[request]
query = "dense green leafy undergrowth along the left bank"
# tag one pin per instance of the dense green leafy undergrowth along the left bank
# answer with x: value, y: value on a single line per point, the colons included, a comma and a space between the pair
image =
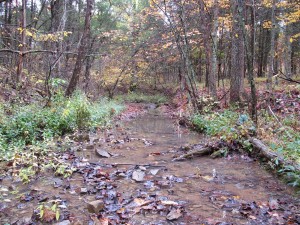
x: 33, y: 124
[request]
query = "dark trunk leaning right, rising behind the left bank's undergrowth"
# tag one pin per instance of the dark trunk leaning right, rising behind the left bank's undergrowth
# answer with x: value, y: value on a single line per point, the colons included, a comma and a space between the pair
x: 81, y: 50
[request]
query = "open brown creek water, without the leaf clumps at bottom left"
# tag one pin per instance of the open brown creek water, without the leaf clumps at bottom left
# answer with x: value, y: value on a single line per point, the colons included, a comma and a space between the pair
x: 211, y: 191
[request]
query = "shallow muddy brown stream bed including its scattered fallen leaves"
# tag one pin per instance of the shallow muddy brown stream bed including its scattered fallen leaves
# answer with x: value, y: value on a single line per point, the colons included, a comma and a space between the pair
x: 202, y: 190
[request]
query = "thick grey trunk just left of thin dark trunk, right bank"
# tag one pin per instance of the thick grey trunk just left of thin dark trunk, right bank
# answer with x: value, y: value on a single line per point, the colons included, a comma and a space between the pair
x: 237, y: 51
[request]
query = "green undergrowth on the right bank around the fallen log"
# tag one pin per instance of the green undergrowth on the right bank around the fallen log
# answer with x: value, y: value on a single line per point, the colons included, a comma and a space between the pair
x: 231, y: 125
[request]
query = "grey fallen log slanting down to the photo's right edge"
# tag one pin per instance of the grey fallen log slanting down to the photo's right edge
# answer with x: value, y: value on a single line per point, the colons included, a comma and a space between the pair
x: 265, y: 152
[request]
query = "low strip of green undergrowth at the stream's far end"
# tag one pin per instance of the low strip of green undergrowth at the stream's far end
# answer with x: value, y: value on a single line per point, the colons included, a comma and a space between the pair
x: 138, y: 97
